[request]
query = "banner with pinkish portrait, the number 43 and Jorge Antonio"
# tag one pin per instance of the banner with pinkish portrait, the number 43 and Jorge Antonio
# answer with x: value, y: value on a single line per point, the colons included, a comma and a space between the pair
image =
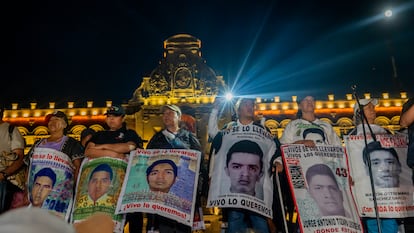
x: 319, y: 179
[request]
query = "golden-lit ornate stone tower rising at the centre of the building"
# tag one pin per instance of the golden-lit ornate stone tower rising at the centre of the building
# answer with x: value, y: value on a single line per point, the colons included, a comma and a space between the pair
x: 182, y: 78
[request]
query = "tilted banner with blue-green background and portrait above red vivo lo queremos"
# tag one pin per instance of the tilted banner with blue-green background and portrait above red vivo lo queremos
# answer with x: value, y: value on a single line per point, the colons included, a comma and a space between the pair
x: 162, y: 181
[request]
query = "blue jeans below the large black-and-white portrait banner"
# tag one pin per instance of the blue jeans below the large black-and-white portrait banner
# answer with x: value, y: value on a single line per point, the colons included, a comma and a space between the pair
x: 241, y: 220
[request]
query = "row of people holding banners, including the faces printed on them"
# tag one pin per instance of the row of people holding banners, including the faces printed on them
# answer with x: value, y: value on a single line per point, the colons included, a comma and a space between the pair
x: 246, y: 163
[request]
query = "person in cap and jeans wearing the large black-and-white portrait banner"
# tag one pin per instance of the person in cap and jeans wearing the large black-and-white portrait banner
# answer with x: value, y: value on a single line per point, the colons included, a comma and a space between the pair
x: 244, y: 164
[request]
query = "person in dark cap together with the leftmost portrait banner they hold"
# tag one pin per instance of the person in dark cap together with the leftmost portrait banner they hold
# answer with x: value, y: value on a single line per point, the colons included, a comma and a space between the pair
x: 59, y: 155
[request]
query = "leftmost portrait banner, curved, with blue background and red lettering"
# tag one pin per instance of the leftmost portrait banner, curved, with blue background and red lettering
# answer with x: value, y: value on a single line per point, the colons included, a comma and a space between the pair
x: 51, y: 181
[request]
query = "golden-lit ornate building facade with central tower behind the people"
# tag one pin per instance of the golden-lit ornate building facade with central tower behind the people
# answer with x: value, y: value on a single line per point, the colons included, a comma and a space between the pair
x: 183, y: 78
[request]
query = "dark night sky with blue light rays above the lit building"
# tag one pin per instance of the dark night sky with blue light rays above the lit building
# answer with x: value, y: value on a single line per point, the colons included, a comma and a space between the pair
x: 99, y: 50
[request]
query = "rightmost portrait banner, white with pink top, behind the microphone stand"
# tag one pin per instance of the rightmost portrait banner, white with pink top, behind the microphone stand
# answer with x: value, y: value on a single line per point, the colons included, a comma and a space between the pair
x: 391, y: 175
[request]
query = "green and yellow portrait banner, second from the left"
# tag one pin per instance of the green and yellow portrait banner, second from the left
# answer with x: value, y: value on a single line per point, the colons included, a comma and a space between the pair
x: 98, y: 188
